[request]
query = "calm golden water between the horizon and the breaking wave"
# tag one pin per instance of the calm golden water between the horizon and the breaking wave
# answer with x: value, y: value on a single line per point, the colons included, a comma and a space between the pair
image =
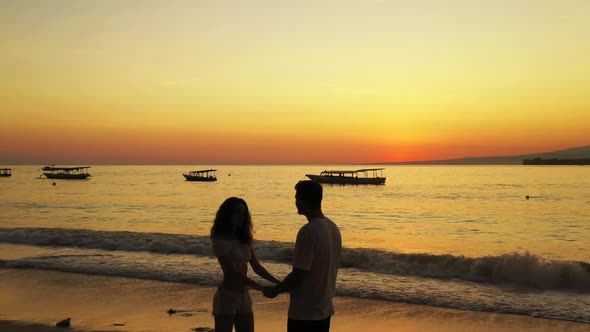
x: 471, y: 211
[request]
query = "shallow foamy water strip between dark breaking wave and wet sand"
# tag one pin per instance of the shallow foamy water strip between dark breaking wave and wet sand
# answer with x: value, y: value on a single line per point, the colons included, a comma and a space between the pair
x: 205, y: 270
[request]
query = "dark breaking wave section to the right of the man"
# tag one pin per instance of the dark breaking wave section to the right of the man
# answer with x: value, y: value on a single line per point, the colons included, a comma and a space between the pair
x: 520, y: 269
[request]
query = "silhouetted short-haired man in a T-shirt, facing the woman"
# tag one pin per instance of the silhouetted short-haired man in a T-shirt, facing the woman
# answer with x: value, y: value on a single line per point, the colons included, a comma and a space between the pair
x: 312, y: 282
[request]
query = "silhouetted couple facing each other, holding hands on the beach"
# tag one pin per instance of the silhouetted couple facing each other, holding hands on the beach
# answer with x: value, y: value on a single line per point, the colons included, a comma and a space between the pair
x: 311, y: 283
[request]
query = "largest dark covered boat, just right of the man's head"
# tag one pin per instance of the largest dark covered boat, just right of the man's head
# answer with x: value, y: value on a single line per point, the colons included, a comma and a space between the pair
x: 359, y: 176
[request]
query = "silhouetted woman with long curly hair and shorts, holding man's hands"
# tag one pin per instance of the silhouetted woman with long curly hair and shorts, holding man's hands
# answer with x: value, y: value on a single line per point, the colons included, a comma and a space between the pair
x: 231, y: 238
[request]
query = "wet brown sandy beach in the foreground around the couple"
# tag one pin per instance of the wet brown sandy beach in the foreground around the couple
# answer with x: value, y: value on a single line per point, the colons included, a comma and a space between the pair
x: 34, y: 300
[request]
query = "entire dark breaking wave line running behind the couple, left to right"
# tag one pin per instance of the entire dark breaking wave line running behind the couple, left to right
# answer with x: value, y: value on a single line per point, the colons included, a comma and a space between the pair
x: 520, y: 269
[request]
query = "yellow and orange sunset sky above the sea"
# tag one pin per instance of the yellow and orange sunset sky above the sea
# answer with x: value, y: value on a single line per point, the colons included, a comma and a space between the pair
x: 255, y: 82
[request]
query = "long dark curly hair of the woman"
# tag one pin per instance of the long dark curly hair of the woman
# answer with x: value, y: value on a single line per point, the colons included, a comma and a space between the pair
x: 222, y: 225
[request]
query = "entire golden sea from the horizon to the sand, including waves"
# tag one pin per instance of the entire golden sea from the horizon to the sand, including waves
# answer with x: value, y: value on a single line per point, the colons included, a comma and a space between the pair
x: 464, y: 237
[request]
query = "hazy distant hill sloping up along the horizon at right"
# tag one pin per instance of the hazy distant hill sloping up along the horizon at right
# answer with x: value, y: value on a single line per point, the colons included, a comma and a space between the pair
x: 582, y: 152
